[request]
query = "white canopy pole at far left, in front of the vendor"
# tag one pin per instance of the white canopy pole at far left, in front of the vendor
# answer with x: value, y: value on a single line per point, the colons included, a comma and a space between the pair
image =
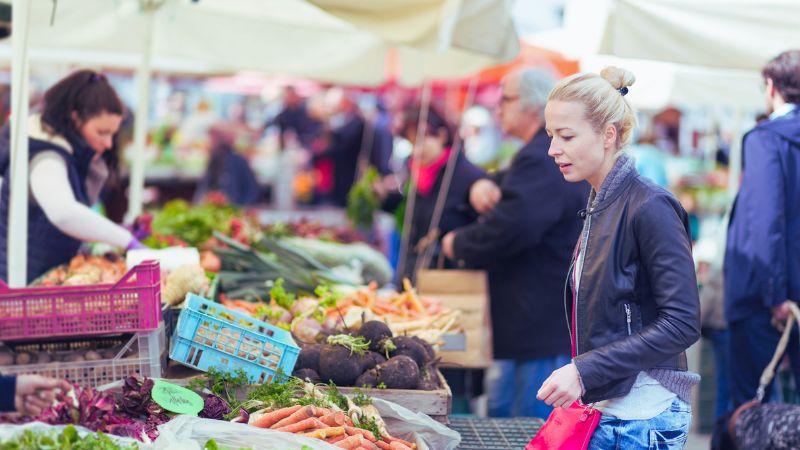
x: 18, y: 199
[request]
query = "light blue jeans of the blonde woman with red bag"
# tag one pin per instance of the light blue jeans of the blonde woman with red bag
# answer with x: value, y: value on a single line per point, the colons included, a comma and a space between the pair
x: 666, y: 431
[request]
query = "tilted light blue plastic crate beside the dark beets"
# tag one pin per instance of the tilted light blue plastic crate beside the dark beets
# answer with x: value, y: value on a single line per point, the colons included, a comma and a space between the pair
x: 211, y: 335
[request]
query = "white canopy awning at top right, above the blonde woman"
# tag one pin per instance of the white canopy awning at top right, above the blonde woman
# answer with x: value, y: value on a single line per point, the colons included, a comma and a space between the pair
x: 741, y: 34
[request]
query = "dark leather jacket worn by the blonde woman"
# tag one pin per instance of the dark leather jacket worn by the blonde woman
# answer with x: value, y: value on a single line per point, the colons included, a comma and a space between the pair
x: 637, y: 306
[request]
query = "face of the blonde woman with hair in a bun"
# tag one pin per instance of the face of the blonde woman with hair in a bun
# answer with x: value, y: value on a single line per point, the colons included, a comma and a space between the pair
x: 580, y: 152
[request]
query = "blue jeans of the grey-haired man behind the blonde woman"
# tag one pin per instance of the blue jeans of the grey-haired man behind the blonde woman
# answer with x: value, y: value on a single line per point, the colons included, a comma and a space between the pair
x: 512, y: 386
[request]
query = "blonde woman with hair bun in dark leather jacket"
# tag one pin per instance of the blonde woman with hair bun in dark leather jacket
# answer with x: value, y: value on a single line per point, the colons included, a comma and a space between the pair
x: 632, y: 303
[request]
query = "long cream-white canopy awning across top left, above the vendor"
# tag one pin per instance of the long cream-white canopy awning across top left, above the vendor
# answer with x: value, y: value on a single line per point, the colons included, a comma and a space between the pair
x: 346, y: 44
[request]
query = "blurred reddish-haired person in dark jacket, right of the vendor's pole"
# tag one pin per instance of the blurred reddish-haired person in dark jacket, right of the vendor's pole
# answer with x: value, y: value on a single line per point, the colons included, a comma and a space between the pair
x: 227, y: 172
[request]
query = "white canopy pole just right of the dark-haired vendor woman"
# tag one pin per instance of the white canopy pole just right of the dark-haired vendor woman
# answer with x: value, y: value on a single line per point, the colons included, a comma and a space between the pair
x: 143, y: 75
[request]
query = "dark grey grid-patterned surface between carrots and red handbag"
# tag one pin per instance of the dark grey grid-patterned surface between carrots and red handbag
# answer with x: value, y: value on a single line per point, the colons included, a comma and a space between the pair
x: 495, y: 433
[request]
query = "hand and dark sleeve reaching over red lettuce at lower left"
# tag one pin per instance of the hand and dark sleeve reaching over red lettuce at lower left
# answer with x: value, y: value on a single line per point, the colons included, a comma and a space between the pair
x: 28, y: 394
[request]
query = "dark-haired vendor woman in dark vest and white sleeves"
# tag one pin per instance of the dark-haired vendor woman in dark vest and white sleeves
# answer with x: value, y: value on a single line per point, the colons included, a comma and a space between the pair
x: 72, y: 154
